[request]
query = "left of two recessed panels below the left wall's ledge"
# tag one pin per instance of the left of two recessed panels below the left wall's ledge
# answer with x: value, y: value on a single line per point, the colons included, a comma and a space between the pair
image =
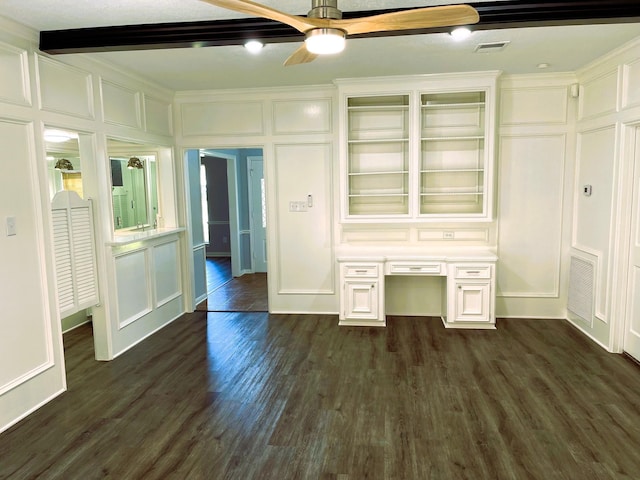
x: 133, y: 289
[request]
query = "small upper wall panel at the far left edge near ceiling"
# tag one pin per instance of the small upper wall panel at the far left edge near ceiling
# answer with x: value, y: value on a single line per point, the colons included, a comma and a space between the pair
x: 14, y: 81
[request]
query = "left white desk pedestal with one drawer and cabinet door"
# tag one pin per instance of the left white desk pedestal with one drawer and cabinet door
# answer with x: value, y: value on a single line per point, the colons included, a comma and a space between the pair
x: 362, y: 302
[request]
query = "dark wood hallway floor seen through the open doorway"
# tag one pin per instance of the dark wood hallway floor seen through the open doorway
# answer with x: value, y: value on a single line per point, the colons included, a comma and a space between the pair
x: 247, y: 293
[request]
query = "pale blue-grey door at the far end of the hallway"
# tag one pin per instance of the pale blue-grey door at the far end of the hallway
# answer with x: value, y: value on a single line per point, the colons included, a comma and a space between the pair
x: 258, y: 214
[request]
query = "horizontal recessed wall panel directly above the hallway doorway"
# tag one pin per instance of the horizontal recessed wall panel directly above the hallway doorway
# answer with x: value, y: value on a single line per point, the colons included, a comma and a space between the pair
x: 238, y: 119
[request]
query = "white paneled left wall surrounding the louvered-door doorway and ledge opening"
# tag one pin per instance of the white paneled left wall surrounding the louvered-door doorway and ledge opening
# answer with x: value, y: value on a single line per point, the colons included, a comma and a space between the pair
x: 98, y: 102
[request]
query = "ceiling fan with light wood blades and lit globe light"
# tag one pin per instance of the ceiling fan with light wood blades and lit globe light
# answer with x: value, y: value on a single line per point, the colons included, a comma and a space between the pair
x: 325, y: 30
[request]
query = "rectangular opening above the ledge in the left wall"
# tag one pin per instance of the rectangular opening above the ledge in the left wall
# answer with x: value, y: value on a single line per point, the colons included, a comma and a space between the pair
x: 134, y: 187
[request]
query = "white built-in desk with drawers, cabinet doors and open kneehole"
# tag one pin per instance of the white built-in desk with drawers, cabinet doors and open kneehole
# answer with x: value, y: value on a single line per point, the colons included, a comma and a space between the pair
x: 468, y: 299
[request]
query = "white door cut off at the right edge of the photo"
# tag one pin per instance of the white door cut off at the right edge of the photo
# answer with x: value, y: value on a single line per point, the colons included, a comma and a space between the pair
x: 632, y: 334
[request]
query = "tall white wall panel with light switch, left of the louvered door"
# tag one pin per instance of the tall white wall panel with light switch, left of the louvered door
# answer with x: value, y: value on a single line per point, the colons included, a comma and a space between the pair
x: 31, y: 352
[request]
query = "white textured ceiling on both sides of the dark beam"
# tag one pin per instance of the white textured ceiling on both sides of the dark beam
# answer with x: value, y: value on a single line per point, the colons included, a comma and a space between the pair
x: 563, y: 48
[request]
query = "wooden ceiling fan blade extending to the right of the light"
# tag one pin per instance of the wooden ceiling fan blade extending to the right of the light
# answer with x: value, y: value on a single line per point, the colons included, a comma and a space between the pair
x: 416, y: 18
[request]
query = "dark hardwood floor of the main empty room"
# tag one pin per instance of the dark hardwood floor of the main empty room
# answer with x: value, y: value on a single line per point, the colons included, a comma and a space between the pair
x: 259, y: 396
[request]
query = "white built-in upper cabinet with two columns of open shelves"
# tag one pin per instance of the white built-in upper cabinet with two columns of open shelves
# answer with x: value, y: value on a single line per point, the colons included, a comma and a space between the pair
x: 418, y: 148
